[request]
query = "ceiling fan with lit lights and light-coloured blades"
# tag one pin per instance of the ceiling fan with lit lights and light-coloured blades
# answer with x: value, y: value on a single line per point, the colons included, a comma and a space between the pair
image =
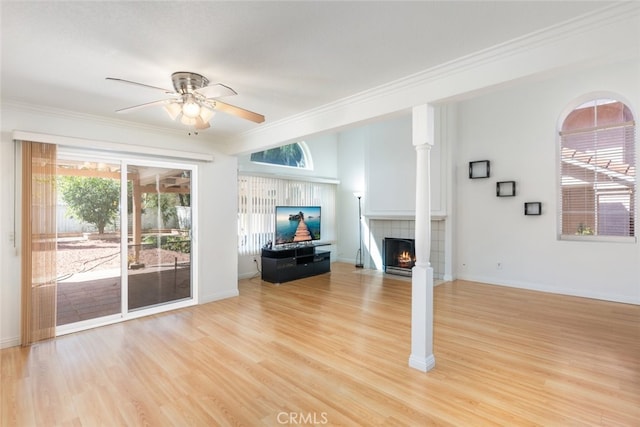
x: 194, y: 100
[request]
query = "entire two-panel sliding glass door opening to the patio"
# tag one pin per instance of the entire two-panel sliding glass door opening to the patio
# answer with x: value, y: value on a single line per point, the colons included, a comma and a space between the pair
x: 124, y: 239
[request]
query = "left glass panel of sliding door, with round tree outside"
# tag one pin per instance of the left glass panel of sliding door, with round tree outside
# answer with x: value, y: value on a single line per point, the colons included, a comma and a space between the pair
x: 88, y: 248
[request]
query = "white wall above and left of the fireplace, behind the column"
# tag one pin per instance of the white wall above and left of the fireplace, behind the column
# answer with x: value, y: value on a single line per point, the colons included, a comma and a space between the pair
x: 379, y: 160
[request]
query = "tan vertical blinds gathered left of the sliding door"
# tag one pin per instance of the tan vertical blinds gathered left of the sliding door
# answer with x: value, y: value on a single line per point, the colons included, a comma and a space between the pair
x: 38, y: 241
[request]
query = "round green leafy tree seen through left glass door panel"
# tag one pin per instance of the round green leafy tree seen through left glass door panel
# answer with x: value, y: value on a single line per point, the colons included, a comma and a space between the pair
x: 90, y: 199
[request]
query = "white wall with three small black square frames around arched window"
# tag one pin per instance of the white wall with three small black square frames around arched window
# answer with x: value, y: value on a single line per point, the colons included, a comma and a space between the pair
x: 516, y: 130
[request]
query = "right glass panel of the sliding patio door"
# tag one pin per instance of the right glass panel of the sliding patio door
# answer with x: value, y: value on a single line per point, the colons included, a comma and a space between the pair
x: 159, y: 244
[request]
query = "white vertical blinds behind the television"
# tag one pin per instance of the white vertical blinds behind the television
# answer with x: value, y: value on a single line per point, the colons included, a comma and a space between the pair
x: 257, y: 198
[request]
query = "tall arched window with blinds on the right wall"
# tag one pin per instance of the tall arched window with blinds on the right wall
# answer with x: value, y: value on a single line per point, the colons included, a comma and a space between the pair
x: 598, y: 171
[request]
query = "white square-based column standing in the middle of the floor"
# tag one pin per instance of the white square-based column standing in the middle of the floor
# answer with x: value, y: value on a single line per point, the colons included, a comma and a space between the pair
x: 422, y: 357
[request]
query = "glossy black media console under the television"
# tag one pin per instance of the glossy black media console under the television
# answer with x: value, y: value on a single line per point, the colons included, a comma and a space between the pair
x: 294, y: 262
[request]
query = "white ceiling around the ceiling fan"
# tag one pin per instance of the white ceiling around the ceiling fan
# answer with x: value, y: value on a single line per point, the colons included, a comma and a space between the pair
x: 283, y: 58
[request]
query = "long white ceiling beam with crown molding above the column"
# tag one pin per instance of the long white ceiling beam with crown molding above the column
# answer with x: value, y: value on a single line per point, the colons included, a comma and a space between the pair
x: 393, y: 96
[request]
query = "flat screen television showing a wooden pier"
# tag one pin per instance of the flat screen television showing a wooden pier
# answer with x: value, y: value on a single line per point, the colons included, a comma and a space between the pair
x: 297, y: 224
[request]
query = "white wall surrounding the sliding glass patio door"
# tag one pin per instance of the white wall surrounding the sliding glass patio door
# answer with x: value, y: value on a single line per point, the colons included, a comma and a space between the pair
x: 217, y: 196
